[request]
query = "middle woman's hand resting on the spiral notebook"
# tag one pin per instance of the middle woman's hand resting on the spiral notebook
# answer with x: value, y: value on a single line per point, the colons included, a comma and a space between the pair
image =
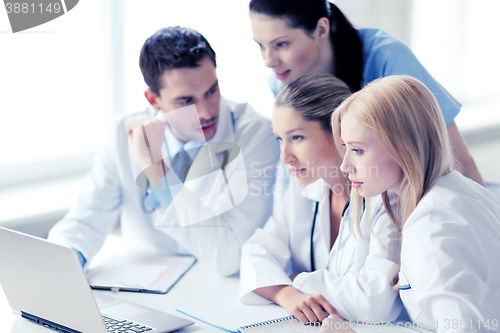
x: 305, y: 307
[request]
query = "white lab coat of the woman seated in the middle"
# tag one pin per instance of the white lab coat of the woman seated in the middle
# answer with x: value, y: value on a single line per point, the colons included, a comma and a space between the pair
x: 354, y: 278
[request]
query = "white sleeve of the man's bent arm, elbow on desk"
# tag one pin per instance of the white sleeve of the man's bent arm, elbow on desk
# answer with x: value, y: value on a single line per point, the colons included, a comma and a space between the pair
x: 218, y: 239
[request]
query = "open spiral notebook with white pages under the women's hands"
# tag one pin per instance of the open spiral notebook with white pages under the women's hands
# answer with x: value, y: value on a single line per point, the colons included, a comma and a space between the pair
x: 229, y: 315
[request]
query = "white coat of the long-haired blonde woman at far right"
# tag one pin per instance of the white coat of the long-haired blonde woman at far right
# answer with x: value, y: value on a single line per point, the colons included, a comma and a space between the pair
x: 450, y: 267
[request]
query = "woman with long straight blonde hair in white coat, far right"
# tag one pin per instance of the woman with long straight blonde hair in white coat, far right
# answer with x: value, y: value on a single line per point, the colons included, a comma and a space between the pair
x: 450, y: 273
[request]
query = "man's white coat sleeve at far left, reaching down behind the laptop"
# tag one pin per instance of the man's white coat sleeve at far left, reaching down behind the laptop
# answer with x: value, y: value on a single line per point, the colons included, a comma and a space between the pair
x: 96, y: 212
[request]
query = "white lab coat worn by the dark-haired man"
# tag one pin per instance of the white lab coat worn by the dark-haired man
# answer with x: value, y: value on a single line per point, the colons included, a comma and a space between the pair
x: 112, y: 194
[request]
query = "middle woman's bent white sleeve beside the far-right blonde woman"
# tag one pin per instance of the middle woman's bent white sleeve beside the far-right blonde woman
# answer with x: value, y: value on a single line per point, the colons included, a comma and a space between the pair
x: 365, y: 291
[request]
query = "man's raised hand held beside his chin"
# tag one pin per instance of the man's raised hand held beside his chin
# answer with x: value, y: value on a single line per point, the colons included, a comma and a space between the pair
x: 147, y: 134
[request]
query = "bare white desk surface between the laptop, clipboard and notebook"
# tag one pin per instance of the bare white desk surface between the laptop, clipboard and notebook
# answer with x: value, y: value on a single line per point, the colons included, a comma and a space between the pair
x: 199, y: 284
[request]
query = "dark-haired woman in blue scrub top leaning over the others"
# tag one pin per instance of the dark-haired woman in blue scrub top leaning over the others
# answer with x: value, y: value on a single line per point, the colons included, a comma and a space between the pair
x: 299, y: 37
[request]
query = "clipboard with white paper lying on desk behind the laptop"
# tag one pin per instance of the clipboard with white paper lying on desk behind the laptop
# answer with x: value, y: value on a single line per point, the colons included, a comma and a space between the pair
x: 151, y: 274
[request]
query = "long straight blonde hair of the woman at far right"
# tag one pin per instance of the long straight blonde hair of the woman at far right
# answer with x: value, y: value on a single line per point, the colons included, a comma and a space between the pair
x: 407, y: 121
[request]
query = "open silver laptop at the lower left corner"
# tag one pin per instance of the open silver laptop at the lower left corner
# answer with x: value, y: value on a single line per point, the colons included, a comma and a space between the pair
x: 45, y: 284
